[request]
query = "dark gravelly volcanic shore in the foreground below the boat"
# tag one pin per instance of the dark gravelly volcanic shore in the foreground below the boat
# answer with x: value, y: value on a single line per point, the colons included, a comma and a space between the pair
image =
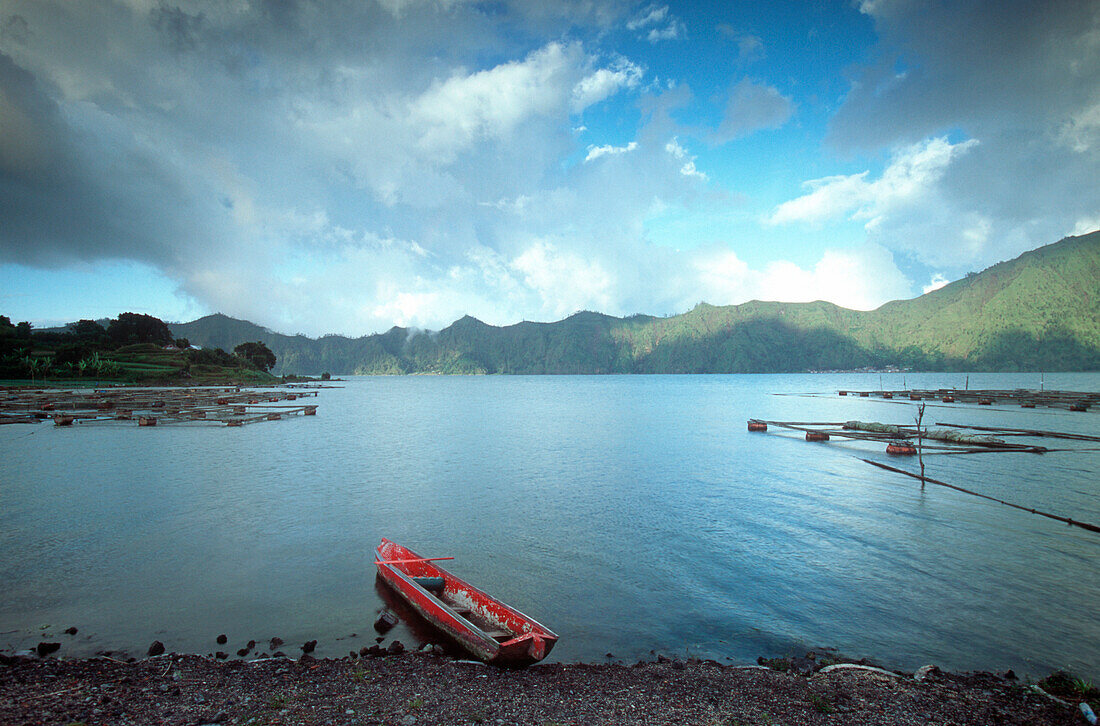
x: 423, y: 689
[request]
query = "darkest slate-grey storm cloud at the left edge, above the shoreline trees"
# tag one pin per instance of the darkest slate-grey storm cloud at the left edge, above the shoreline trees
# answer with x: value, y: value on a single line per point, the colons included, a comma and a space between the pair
x: 90, y: 193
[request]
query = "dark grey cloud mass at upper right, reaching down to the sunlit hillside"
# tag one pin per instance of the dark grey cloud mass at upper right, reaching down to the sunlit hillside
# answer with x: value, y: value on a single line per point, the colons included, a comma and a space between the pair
x: 1022, y: 80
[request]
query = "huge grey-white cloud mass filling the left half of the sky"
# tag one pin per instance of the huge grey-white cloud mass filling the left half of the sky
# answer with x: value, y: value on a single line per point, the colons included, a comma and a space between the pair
x: 403, y: 152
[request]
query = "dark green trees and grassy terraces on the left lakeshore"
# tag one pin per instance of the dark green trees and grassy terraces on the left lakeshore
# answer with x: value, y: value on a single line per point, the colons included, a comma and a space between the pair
x: 135, y: 349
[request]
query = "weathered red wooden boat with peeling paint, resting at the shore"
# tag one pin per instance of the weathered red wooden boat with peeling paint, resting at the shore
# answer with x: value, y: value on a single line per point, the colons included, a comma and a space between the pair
x: 485, y: 626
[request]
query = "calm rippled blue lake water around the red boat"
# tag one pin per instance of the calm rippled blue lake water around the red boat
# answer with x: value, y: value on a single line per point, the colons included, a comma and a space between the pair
x: 630, y: 514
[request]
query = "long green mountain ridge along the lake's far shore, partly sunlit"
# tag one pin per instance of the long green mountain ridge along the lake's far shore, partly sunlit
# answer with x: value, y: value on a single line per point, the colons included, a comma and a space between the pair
x: 1039, y: 312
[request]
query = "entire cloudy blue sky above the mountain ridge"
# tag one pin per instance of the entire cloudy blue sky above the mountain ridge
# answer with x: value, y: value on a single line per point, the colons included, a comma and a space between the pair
x: 346, y: 167
